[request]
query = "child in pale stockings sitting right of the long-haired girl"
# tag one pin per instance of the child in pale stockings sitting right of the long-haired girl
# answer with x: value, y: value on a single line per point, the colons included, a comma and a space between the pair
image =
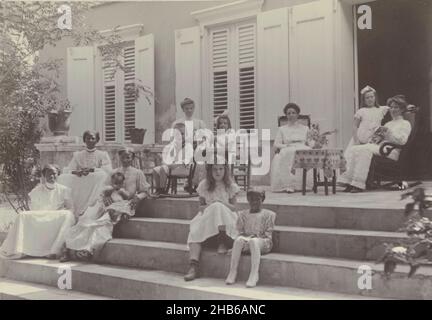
x: 255, y: 227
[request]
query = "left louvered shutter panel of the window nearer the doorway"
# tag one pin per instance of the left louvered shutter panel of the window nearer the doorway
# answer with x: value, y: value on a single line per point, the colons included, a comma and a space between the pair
x: 219, y: 69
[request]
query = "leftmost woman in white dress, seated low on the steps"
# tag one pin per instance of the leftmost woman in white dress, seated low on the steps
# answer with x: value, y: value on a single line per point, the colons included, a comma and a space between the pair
x: 41, y: 231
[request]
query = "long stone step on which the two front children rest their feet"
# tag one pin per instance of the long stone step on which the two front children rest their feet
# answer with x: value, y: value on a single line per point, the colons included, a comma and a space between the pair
x: 129, y: 283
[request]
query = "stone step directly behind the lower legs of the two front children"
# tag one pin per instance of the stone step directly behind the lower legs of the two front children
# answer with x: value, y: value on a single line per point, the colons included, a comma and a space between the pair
x: 312, y: 273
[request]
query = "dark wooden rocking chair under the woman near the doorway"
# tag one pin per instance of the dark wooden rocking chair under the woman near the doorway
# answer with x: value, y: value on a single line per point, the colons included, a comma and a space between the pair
x: 394, y: 172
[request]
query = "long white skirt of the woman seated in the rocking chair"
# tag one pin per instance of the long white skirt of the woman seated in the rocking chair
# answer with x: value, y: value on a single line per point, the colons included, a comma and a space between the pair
x: 358, y: 165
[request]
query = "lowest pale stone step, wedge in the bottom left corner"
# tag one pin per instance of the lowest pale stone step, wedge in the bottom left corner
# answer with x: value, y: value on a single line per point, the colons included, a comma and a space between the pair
x: 18, y: 290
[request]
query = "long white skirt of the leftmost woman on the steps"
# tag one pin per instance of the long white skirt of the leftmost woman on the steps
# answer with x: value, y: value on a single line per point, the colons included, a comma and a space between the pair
x: 37, y: 233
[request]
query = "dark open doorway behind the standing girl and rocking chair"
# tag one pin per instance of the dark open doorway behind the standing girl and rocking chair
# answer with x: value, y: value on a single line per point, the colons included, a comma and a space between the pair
x: 394, y: 57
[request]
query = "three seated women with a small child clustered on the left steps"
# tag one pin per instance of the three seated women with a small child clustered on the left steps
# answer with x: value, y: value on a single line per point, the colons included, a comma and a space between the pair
x: 73, y: 213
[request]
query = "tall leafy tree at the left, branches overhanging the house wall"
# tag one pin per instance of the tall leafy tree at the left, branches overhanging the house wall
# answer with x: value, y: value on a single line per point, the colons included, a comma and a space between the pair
x: 29, y: 88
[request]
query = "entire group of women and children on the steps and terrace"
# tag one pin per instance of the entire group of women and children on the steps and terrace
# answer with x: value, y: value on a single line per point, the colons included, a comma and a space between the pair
x: 73, y: 214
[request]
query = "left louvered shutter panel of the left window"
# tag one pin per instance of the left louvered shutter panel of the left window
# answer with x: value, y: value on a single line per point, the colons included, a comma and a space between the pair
x: 110, y: 102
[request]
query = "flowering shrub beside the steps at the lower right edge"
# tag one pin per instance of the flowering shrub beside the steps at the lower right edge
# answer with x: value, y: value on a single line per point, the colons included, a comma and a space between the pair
x: 416, y: 250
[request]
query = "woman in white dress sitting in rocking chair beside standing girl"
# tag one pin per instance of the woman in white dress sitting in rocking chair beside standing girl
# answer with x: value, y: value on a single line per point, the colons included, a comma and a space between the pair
x: 396, y: 131
